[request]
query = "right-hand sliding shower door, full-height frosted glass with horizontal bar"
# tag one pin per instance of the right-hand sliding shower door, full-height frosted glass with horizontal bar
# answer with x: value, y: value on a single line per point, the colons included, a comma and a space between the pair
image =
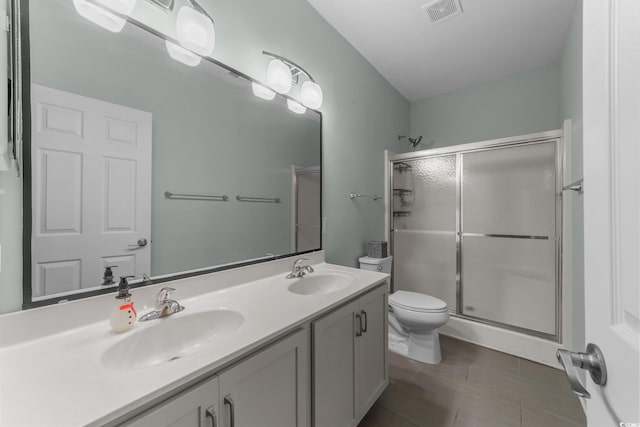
x: 509, y: 235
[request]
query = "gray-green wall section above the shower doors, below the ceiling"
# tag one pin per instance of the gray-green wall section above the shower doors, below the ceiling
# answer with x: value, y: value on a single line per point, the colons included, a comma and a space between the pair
x: 522, y: 103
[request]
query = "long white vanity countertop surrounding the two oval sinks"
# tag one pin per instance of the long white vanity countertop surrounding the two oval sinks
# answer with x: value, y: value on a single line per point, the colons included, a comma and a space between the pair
x: 59, y: 380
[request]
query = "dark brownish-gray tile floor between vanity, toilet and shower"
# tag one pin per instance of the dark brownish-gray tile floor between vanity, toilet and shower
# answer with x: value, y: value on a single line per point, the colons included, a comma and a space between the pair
x: 474, y: 387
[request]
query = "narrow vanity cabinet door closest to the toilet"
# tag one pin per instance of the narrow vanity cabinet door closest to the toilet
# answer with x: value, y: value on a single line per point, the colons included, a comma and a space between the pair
x: 373, y: 375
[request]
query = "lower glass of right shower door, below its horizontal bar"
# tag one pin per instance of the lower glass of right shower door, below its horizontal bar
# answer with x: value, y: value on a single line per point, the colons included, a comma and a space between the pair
x: 510, y: 281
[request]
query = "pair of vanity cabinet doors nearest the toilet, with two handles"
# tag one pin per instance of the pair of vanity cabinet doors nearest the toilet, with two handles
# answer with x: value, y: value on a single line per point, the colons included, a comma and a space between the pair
x: 350, y: 360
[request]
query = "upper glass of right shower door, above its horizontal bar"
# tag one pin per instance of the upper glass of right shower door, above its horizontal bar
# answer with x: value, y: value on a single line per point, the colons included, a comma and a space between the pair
x: 510, y: 191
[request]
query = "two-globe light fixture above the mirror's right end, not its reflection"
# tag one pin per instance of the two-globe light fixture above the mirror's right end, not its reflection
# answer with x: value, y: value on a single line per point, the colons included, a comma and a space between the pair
x: 283, y: 73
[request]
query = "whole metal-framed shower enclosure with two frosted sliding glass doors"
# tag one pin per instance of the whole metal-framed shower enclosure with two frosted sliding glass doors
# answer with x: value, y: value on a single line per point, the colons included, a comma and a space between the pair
x: 479, y: 226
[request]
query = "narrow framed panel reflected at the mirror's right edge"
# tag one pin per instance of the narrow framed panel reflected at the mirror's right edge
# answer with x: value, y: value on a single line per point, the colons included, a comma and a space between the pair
x: 306, y: 218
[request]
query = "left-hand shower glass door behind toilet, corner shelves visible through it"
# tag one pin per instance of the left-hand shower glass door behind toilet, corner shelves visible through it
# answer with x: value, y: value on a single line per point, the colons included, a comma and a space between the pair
x: 424, y: 226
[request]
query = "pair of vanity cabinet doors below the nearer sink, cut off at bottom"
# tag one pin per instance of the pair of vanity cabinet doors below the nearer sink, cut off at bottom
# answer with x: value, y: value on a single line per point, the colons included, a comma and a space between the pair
x: 267, y: 389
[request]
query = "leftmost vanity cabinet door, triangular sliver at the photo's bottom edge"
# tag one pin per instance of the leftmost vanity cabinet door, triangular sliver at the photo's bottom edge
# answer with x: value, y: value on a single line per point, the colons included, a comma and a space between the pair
x: 197, y: 407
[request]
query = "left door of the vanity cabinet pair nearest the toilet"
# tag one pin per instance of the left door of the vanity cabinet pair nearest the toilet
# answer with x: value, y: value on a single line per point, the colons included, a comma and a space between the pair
x: 334, y: 372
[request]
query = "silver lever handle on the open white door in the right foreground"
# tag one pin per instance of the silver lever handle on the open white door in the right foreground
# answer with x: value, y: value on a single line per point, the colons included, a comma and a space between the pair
x: 592, y: 361
